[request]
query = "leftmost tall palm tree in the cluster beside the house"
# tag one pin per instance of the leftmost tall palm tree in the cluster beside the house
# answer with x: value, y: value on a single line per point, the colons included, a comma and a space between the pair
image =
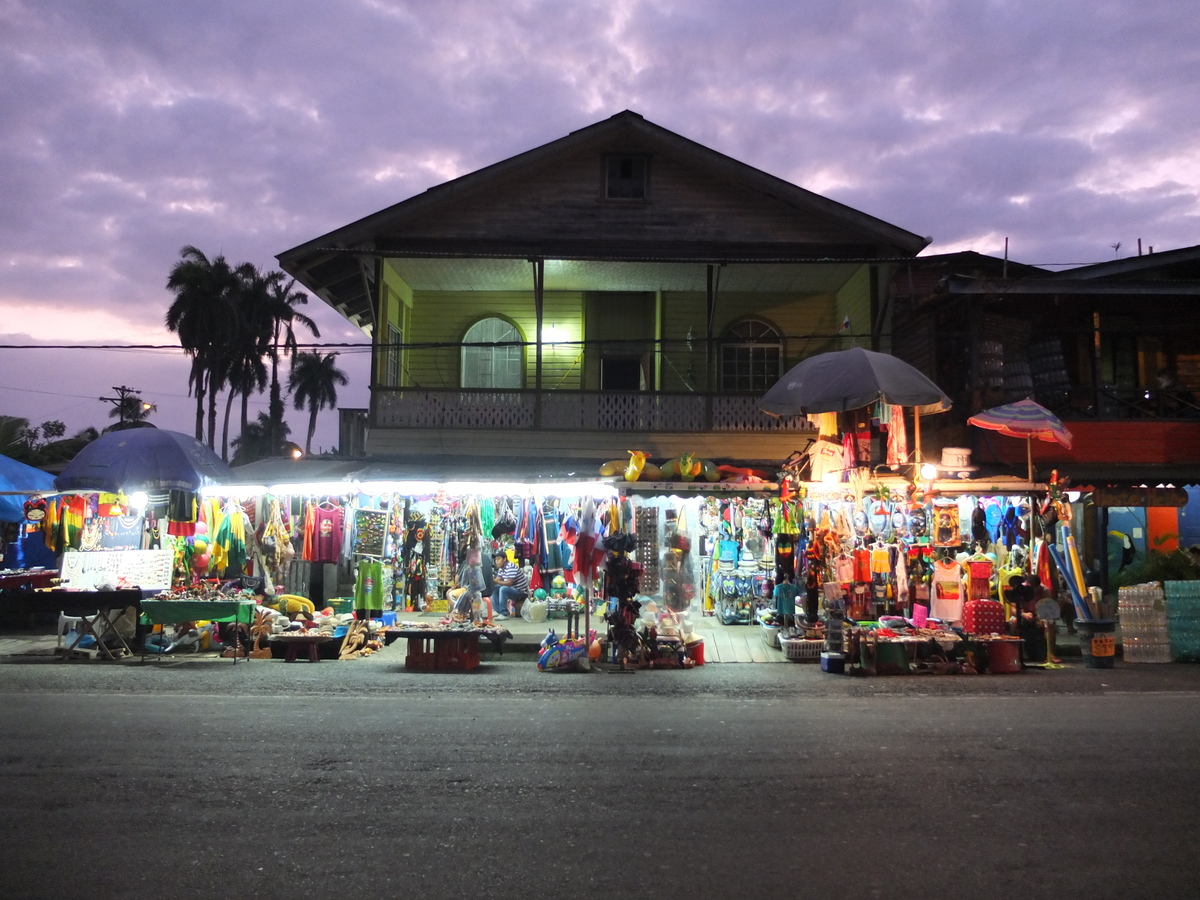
x: 205, y: 315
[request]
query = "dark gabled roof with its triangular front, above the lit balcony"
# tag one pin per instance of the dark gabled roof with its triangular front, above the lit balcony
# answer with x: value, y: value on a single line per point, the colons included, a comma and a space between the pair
x: 494, y: 213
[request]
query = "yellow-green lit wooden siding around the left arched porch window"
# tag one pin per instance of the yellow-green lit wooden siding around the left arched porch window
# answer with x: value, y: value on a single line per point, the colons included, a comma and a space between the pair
x: 443, y: 317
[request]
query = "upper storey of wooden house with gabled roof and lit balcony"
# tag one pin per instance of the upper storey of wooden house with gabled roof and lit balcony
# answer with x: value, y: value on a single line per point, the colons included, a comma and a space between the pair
x: 620, y: 289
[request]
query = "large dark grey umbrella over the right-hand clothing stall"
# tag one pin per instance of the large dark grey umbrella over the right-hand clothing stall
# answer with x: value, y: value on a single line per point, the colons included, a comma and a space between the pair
x: 851, y: 380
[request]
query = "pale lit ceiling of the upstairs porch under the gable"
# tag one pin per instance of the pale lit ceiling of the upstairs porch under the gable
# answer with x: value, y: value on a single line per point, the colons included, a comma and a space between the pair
x: 446, y: 274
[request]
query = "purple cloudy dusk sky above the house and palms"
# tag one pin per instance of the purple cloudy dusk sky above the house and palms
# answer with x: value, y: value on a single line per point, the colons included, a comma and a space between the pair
x: 129, y: 130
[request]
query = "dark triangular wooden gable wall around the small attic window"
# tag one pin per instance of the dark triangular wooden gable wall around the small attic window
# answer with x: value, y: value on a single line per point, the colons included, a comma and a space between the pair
x: 565, y: 202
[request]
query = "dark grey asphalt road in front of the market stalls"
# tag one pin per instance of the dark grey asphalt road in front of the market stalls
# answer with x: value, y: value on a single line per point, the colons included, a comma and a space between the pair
x: 181, y: 779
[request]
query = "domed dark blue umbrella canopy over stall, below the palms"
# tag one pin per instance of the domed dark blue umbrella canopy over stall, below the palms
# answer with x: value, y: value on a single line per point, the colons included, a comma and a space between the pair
x: 148, y: 460
